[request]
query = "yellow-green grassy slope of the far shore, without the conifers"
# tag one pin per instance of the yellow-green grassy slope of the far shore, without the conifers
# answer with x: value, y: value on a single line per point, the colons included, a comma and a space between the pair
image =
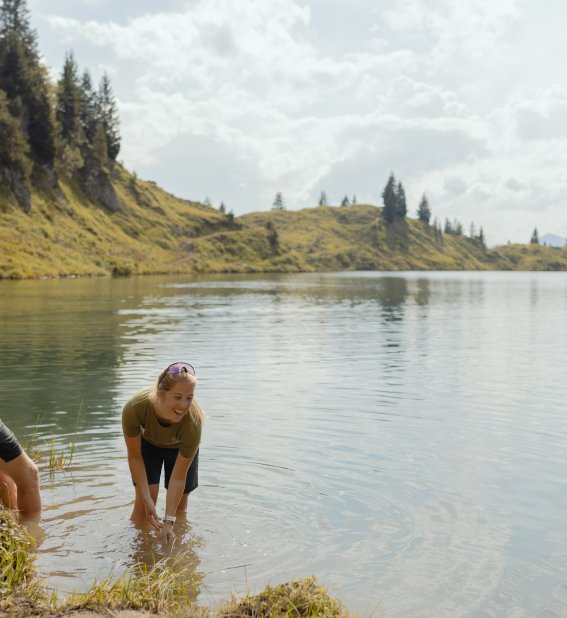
x: 155, y: 232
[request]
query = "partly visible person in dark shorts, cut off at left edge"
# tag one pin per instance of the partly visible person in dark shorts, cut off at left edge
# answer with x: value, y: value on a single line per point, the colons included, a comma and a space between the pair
x: 19, y: 476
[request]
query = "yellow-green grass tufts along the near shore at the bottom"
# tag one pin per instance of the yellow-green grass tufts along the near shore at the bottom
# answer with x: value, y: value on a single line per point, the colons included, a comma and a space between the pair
x: 158, y: 590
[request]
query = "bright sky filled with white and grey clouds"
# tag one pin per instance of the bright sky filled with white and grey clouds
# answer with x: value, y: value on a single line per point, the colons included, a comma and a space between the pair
x: 239, y: 99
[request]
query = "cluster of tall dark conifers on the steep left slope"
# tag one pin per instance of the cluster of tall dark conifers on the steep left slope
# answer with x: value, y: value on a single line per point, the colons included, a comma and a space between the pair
x: 68, y: 128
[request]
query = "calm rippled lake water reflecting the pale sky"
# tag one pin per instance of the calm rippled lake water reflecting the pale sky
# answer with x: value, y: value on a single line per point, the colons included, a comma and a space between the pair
x: 401, y: 436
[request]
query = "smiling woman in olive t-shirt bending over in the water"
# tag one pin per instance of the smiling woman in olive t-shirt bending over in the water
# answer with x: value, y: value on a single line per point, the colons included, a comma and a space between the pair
x: 162, y: 429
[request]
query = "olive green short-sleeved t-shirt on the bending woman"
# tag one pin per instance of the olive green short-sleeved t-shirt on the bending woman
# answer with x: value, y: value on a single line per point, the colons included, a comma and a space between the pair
x: 138, y: 416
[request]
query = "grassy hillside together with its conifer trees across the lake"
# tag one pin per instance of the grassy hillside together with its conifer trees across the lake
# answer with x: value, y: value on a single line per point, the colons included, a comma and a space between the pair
x: 67, y: 207
